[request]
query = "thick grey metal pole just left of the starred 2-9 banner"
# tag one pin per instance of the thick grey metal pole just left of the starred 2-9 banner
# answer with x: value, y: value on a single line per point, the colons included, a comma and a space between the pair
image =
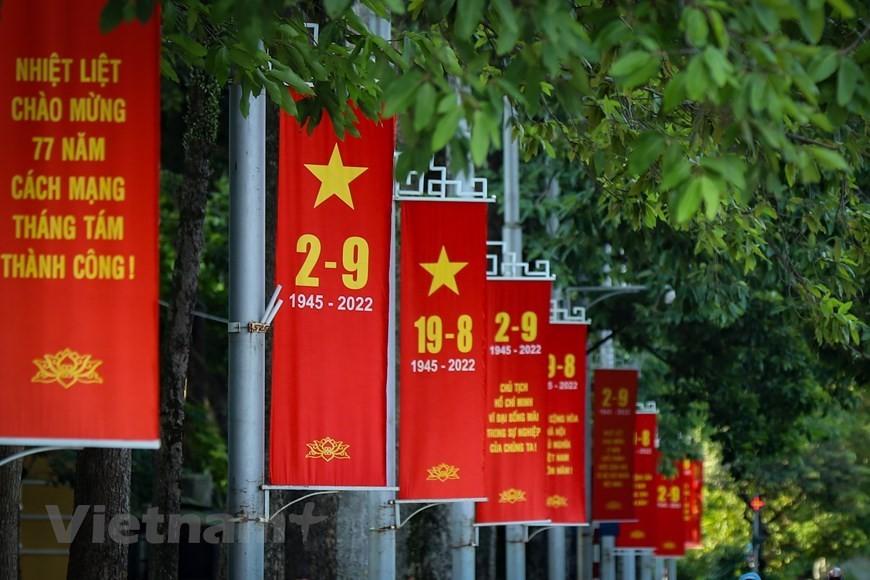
x: 247, y: 349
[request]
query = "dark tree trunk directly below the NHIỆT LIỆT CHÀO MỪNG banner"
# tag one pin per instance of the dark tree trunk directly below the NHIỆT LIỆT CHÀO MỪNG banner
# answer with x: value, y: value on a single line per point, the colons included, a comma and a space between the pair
x: 103, y: 487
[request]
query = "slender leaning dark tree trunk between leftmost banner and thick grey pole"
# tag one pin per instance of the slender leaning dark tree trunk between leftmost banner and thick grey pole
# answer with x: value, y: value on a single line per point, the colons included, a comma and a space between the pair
x: 199, y: 141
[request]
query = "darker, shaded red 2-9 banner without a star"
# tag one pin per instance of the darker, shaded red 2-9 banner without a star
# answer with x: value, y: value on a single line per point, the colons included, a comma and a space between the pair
x: 614, y: 399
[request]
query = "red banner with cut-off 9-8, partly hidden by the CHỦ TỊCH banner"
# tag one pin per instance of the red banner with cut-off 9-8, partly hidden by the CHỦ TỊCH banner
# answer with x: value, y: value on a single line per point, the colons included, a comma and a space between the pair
x: 566, y: 422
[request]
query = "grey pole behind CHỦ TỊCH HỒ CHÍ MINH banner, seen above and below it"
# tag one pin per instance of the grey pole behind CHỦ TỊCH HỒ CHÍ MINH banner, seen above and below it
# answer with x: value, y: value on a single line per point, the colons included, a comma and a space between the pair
x: 515, y: 551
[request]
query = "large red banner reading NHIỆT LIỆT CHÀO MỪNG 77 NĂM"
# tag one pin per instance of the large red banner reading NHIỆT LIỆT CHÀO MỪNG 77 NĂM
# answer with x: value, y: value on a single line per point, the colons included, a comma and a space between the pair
x: 80, y: 136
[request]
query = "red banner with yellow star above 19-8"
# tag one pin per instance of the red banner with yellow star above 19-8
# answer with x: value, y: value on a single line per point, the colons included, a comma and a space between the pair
x: 442, y: 330
